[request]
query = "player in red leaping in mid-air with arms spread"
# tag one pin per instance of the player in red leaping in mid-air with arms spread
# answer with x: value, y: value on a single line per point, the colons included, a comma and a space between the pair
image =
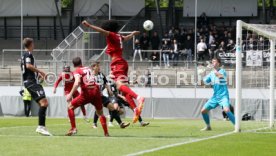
x: 119, y: 66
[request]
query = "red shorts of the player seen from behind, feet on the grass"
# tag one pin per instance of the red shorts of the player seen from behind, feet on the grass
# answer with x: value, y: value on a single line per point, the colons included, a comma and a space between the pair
x: 89, y: 96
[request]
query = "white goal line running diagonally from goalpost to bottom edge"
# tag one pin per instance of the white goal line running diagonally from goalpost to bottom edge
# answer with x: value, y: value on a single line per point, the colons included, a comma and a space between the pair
x: 178, y: 144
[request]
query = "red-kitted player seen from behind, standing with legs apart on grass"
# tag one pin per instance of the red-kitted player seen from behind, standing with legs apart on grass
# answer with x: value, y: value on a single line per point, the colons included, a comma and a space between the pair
x: 90, y: 93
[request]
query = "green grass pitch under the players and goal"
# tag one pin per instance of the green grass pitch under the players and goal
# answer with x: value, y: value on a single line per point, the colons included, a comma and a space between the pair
x: 18, y: 137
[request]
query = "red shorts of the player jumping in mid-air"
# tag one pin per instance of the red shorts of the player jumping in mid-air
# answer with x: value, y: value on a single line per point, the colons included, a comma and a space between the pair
x: 119, y: 69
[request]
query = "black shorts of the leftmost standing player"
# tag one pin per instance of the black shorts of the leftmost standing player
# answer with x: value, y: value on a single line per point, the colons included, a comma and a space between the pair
x: 36, y: 90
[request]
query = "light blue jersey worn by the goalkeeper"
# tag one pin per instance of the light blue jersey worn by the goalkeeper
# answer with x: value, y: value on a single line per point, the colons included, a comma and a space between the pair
x: 219, y: 84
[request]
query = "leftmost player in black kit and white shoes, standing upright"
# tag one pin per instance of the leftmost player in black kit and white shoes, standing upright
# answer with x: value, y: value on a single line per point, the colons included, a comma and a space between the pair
x: 30, y: 74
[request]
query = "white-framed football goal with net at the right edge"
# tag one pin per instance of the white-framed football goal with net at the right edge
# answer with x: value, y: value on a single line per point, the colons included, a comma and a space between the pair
x: 255, y: 62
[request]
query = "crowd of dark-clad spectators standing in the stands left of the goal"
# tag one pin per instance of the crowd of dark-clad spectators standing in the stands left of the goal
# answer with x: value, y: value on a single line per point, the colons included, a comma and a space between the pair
x: 178, y: 43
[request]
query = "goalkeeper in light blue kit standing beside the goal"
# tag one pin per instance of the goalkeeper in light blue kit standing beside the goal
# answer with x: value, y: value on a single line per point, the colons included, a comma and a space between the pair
x: 218, y: 79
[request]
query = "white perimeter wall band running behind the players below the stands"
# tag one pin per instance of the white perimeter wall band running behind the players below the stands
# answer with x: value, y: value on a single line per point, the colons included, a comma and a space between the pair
x: 158, y: 92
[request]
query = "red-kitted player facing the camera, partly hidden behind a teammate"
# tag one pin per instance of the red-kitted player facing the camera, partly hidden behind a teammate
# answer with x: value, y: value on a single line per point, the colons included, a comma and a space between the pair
x: 67, y: 77
